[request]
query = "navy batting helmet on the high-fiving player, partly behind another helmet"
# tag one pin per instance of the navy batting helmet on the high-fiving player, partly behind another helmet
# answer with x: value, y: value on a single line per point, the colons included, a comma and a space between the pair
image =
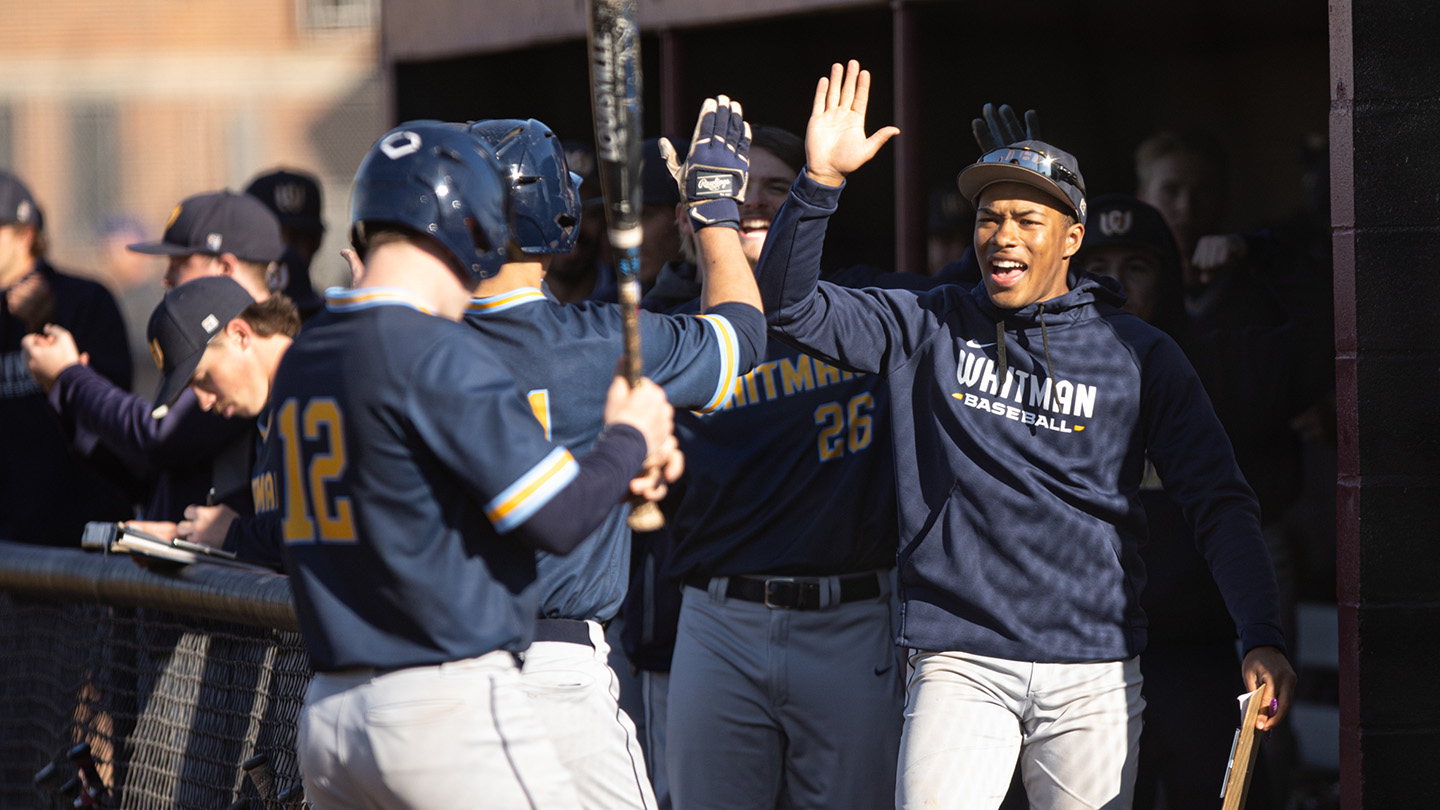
x: 544, y: 191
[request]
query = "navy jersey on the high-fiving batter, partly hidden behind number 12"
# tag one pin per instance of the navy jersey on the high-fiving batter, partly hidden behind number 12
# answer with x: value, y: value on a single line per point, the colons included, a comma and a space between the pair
x: 564, y: 360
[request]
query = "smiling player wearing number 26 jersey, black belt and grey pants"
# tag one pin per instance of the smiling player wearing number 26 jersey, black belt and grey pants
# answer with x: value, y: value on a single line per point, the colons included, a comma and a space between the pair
x: 786, y: 685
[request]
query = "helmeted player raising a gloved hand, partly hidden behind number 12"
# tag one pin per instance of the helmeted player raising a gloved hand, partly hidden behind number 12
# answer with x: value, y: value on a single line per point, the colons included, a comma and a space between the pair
x: 561, y: 357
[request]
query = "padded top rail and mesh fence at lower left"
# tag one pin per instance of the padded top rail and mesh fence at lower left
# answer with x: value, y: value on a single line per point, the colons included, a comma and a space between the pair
x: 172, y: 677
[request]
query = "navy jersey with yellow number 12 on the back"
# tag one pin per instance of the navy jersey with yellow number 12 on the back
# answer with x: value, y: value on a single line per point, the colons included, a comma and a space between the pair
x: 407, y: 456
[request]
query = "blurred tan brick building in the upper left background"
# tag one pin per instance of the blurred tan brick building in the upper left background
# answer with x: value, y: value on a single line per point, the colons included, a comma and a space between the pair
x: 199, y: 94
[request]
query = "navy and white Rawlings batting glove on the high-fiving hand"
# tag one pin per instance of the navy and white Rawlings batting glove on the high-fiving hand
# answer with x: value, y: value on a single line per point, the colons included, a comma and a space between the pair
x: 718, y: 169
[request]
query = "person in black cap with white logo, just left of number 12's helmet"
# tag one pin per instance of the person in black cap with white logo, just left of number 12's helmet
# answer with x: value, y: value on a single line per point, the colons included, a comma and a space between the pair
x: 296, y: 201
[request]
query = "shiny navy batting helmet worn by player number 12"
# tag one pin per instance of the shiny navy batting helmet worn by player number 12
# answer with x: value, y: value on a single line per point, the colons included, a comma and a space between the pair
x: 437, y: 179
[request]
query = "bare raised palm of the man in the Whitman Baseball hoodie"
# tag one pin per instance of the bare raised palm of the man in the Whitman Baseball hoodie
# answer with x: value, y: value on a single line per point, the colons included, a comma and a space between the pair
x: 836, y: 142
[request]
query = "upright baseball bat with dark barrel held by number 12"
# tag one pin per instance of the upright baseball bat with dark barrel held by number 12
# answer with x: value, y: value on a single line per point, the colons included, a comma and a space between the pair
x: 616, y: 96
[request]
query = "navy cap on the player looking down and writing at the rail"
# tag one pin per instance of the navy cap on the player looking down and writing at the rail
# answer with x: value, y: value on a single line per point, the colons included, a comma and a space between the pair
x: 184, y: 325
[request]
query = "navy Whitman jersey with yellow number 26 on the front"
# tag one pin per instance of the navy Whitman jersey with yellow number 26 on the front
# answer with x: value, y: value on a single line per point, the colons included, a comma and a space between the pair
x: 793, y: 476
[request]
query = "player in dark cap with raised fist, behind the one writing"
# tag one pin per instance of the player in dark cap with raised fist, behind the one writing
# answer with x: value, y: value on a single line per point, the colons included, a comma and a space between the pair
x: 185, y: 450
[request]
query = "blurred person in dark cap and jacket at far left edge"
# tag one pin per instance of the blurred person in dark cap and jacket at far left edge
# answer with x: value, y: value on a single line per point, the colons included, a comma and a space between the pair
x: 47, y: 491
